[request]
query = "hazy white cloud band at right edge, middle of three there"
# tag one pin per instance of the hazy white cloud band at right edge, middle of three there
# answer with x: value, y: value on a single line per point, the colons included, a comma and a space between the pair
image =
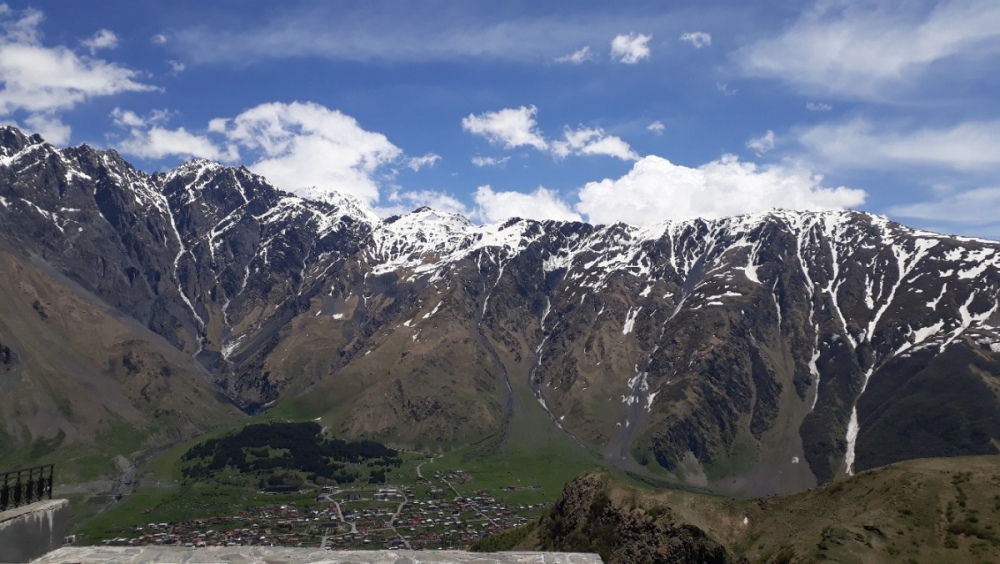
x: 860, y: 143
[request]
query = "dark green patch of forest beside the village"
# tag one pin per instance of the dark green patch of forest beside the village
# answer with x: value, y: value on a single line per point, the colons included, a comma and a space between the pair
x: 276, y: 450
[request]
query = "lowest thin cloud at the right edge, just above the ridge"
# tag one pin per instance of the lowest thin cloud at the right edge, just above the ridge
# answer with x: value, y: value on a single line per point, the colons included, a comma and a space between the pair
x: 980, y: 206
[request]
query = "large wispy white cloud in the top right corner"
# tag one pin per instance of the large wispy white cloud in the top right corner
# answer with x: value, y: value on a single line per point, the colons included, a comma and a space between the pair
x: 863, y: 49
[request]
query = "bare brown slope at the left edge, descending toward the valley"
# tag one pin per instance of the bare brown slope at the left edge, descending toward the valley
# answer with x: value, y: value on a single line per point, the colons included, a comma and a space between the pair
x: 80, y: 384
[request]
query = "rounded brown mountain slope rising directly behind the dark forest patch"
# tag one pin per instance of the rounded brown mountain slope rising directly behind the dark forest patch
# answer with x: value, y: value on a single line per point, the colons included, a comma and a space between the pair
x: 400, y: 364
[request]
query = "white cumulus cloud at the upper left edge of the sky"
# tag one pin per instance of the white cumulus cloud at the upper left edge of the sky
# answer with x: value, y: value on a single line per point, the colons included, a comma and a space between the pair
x: 41, y: 81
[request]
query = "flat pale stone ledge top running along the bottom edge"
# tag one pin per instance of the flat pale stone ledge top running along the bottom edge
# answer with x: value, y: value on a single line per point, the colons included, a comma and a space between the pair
x: 262, y: 555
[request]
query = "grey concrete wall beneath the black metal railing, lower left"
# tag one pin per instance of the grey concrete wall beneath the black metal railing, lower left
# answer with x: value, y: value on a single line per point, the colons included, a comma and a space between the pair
x: 32, y: 530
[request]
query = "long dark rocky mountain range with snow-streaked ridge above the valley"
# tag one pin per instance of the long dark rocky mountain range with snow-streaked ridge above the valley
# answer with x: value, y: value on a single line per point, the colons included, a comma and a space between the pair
x: 758, y: 353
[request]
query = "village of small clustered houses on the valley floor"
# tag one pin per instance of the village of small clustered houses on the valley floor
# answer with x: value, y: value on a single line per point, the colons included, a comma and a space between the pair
x: 428, y: 514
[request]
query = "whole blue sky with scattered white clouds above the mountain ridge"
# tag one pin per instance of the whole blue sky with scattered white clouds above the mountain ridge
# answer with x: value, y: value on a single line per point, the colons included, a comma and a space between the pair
x: 637, y: 112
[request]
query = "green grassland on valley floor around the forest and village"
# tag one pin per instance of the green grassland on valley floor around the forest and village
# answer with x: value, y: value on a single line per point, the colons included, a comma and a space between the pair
x: 526, y: 474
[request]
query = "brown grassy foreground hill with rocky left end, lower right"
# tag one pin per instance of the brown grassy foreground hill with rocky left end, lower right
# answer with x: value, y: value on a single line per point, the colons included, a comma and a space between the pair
x: 930, y: 510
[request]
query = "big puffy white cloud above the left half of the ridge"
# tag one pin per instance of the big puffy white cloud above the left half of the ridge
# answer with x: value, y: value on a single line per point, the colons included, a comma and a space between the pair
x: 311, y: 150
